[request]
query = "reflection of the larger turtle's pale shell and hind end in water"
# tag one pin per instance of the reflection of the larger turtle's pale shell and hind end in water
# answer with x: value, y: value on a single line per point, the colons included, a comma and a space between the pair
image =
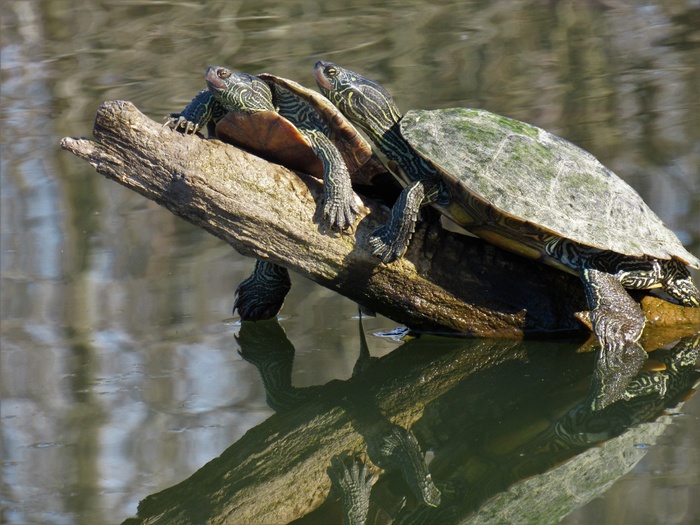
x: 623, y: 432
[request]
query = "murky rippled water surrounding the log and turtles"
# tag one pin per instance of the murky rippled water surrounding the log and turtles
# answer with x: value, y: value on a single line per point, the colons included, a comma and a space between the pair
x: 121, y: 376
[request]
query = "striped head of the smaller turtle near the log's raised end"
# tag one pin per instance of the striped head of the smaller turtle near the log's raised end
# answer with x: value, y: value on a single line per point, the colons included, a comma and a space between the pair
x: 239, y: 91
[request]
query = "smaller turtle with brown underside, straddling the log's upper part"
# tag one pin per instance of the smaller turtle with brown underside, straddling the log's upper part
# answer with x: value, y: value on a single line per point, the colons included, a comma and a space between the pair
x: 286, y: 123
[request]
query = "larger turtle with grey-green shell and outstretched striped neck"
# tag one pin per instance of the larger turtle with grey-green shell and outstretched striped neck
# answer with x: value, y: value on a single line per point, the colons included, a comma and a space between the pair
x: 527, y: 191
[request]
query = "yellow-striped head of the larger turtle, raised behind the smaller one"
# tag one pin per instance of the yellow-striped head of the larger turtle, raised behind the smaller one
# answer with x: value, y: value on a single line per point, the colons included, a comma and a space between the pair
x: 363, y: 101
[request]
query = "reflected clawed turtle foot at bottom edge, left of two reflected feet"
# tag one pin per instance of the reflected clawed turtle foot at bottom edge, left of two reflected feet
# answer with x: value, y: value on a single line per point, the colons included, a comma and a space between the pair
x: 351, y: 478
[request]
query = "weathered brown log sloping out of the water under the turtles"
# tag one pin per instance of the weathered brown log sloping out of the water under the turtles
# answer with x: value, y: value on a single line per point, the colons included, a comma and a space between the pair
x: 446, y: 282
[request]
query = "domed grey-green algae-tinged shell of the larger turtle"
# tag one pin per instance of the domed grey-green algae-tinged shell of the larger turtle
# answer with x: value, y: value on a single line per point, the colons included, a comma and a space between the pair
x: 536, y: 179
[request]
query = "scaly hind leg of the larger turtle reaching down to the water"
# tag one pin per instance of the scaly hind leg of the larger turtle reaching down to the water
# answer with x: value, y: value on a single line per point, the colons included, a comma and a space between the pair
x: 617, y: 319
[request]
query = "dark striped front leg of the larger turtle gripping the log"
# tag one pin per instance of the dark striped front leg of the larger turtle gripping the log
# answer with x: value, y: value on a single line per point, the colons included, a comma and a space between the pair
x: 390, y: 241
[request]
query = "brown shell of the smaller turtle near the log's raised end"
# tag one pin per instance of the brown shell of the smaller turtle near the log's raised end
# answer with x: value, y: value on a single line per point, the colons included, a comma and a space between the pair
x: 273, y: 137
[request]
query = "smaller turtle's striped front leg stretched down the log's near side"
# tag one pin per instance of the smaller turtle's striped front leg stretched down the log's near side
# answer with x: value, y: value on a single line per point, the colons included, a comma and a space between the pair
x: 339, y: 207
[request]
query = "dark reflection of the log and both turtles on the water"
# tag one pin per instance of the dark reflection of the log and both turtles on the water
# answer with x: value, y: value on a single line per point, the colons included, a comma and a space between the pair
x: 439, y: 431
